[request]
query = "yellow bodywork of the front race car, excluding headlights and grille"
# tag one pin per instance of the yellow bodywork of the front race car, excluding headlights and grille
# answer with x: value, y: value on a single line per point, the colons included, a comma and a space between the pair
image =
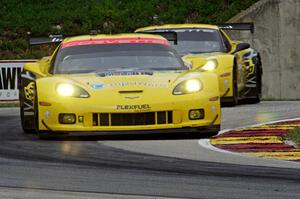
x: 113, y: 97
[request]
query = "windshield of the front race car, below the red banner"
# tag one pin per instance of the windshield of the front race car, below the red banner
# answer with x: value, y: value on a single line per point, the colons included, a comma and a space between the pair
x: 97, y: 58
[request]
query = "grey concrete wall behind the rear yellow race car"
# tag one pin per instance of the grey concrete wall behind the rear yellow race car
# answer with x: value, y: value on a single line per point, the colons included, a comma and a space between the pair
x: 277, y: 38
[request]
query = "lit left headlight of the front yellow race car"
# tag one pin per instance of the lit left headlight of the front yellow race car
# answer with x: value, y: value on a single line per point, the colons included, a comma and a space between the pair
x: 70, y: 90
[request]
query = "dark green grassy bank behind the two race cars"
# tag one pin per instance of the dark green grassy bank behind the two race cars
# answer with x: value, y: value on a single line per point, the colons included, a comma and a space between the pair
x: 80, y: 16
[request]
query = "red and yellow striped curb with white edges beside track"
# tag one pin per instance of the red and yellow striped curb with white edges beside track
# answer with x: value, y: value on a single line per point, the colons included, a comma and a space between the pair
x: 261, y: 140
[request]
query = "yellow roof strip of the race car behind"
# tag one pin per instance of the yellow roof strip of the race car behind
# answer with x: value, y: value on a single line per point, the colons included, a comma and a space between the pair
x: 176, y: 26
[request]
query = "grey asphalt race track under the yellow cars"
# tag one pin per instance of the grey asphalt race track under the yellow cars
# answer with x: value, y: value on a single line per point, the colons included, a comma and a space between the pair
x: 146, y: 167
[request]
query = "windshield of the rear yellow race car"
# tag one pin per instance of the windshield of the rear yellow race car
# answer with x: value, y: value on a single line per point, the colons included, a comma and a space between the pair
x: 198, y: 41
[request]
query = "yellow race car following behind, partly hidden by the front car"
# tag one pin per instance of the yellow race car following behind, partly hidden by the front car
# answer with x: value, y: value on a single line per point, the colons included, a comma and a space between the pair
x: 237, y: 65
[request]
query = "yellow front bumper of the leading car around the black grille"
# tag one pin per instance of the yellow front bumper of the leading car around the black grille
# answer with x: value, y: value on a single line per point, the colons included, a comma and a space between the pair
x: 48, y: 116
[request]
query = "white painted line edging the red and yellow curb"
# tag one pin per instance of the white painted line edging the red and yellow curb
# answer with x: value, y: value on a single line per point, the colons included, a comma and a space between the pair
x: 205, y: 143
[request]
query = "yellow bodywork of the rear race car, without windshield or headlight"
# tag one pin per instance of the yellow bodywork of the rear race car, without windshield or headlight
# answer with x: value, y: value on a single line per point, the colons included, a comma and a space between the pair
x: 226, y: 61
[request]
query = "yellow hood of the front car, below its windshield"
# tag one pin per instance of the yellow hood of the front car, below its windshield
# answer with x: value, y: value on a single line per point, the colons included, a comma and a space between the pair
x: 129, y: 80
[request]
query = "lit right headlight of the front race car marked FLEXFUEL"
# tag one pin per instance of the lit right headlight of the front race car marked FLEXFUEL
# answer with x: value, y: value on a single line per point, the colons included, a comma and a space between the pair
x: 188, y: 86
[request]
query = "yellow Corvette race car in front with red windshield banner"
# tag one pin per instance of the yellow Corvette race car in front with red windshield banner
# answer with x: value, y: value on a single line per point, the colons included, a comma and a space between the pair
x: 117, y: 84
